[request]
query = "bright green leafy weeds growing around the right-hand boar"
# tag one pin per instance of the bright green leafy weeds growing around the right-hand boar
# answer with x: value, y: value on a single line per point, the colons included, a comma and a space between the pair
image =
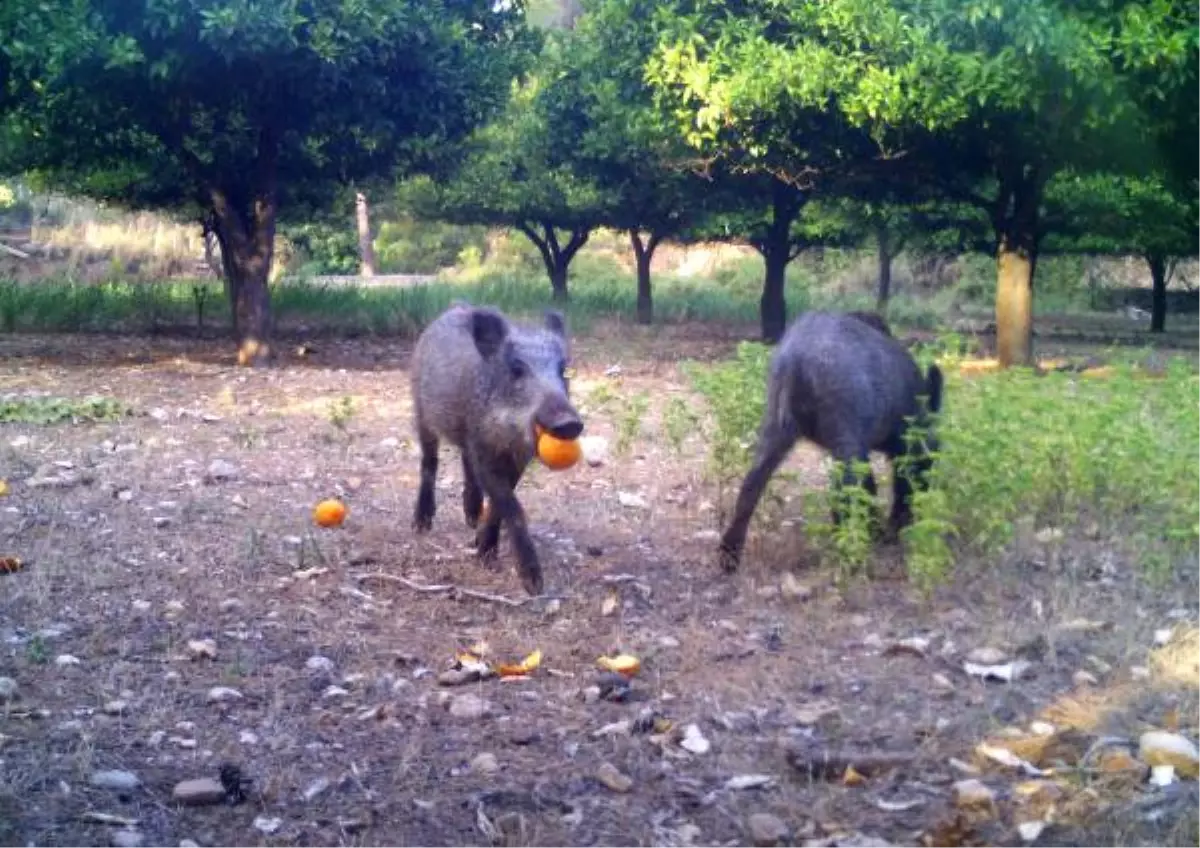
x: 1021, y: 454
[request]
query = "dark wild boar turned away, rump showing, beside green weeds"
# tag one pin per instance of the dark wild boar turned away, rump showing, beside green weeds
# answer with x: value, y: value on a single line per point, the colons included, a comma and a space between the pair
x: 848, y: 386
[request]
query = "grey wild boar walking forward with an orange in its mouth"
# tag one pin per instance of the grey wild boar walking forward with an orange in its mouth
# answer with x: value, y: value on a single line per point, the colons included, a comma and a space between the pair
x: 482, y: 383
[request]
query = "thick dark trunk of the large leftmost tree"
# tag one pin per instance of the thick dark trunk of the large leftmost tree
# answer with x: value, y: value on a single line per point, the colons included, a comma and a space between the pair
x: 247, y: 234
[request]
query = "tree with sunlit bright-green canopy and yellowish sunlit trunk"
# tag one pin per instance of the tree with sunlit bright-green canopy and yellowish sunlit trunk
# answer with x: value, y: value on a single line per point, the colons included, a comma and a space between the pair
x: 987, y: 100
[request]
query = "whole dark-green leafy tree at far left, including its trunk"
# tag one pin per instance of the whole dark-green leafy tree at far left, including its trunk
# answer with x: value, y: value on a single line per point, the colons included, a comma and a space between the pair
x: 244, y: 112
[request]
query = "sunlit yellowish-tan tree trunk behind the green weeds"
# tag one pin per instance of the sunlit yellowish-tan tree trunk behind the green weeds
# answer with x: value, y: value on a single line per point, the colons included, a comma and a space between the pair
x: 1017, y: 257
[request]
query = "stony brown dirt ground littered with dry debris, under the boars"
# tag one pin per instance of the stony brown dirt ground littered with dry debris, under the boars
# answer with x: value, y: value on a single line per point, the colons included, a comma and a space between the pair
x: 190, y: 521
